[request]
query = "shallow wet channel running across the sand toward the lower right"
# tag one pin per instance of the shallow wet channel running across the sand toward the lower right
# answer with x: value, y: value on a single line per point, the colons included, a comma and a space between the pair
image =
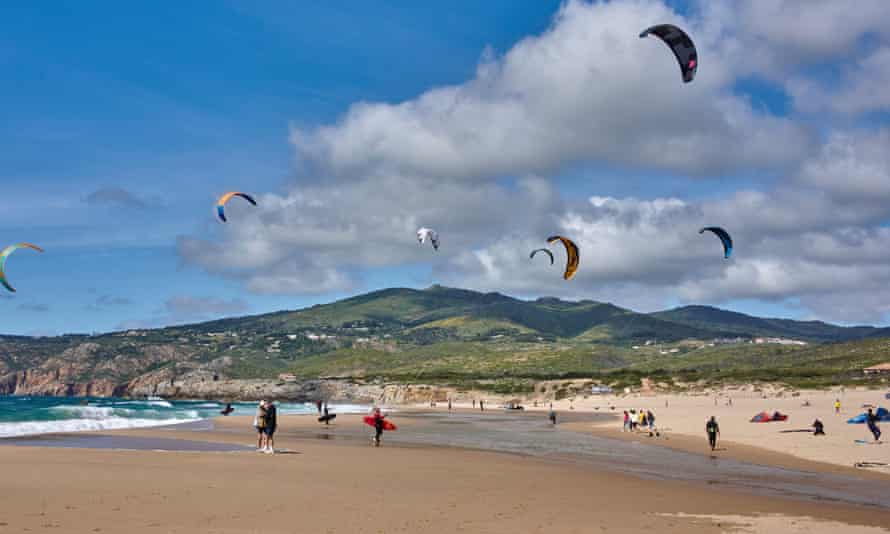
x: 525, y: 436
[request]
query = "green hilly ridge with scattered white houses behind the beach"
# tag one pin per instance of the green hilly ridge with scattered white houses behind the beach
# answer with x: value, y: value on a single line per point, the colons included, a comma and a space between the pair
x: 458, y: 336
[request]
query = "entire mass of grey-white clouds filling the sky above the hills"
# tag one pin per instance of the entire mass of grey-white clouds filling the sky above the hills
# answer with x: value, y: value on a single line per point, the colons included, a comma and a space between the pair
x: 477, y: 161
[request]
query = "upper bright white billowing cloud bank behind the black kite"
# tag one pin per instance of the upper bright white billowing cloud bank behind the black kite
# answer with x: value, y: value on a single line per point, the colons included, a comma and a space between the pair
x: 586, y: 90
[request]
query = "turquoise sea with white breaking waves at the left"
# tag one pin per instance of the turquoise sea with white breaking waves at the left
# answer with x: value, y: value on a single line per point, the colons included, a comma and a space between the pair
x: 30, y: 416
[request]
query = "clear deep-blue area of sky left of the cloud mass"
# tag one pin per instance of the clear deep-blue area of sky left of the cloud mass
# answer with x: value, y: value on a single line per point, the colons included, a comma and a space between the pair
x: 176, y: 105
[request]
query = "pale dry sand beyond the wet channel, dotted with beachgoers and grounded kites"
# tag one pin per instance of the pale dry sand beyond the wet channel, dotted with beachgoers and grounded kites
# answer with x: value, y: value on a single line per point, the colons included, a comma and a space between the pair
x: 681, y: 419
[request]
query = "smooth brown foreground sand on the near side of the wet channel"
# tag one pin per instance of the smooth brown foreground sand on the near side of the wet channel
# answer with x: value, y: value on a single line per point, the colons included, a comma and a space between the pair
x: 329, y: 479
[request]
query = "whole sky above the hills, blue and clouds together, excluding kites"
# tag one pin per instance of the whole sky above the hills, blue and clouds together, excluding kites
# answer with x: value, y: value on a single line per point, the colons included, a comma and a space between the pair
x: 495, y: 123
